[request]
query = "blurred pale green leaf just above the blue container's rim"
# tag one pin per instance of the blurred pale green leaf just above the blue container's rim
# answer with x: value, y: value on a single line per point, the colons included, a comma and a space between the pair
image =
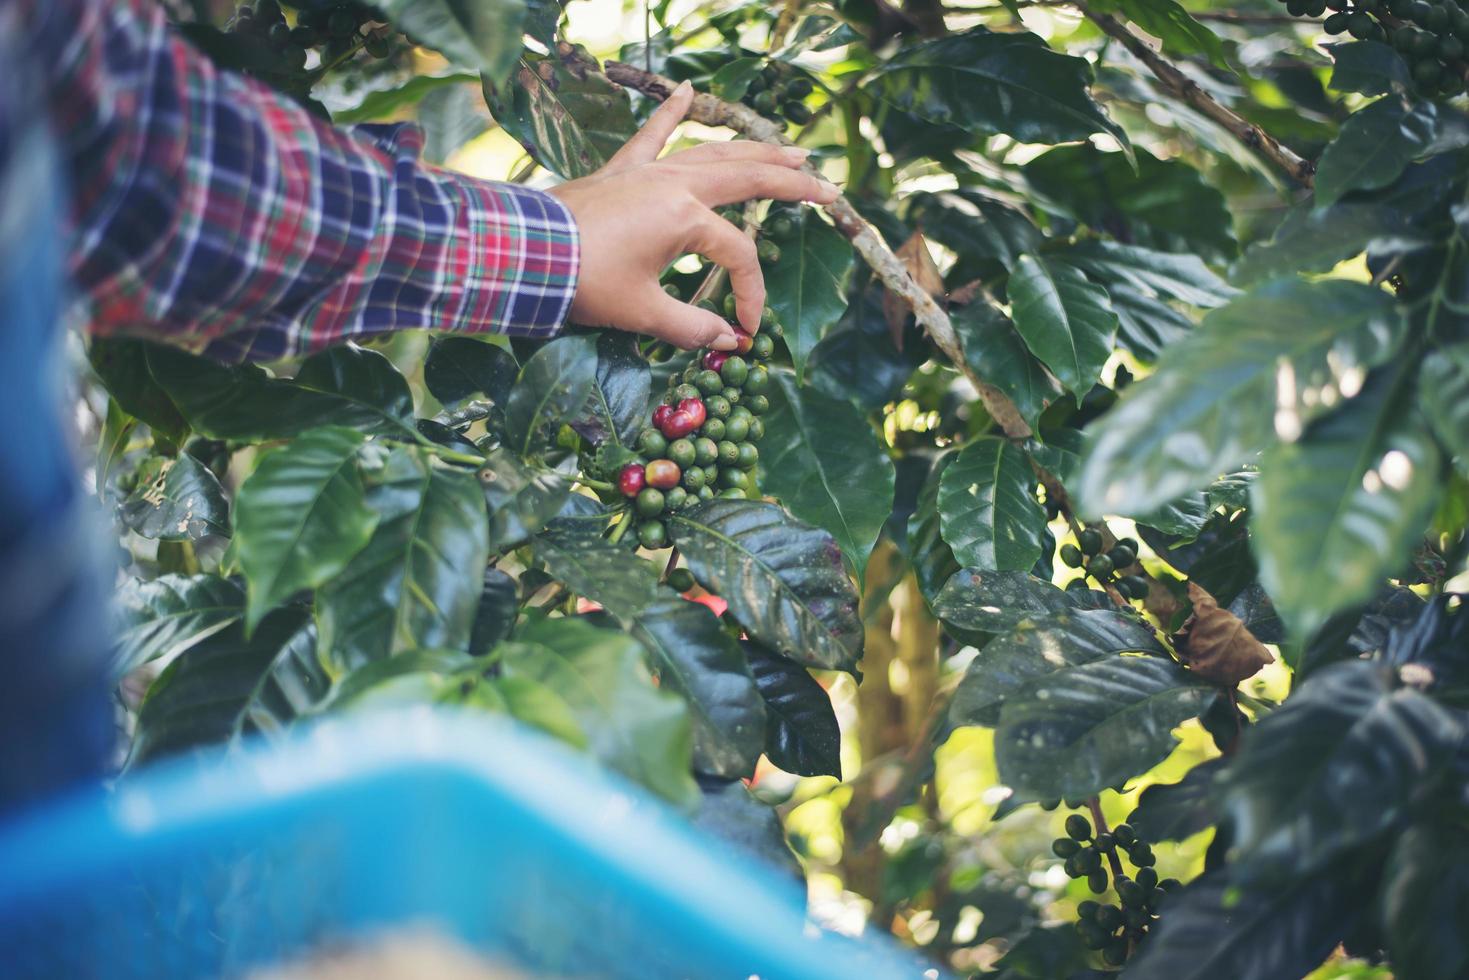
x: 631, y: 725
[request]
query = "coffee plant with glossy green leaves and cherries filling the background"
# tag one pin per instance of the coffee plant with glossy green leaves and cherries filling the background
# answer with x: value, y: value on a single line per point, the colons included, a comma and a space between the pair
x: 1067, y: 578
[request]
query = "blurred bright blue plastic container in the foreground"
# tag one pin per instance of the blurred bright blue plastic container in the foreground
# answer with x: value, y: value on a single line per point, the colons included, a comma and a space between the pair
x: 474, y: 826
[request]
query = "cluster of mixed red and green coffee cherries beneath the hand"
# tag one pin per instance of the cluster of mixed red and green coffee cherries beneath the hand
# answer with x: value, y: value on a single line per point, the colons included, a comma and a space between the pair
x: 703, y: 437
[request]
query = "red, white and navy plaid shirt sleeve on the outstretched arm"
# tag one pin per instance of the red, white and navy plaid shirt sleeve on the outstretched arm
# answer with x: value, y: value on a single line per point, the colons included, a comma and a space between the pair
x: 214, y: 214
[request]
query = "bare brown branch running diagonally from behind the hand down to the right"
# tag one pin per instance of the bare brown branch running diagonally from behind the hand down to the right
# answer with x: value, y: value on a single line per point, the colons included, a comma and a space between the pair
x: 866, y: 242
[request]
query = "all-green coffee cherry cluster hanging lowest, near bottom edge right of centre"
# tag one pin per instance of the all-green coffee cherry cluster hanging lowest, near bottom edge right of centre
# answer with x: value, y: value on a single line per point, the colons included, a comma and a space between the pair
x: 1114, y: 931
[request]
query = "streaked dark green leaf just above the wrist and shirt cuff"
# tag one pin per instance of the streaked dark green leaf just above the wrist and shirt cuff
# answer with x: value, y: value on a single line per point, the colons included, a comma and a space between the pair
x: 571, y: 124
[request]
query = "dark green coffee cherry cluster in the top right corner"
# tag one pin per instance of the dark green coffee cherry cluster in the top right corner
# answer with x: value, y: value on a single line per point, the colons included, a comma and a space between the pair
x: 1432, y: 35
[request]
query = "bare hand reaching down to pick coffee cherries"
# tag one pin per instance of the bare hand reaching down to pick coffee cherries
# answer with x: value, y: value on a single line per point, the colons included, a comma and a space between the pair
x: 640, y: 214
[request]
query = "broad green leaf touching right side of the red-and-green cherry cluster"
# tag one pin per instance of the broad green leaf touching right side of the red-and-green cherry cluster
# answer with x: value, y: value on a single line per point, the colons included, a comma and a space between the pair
x: 823, y: 461
